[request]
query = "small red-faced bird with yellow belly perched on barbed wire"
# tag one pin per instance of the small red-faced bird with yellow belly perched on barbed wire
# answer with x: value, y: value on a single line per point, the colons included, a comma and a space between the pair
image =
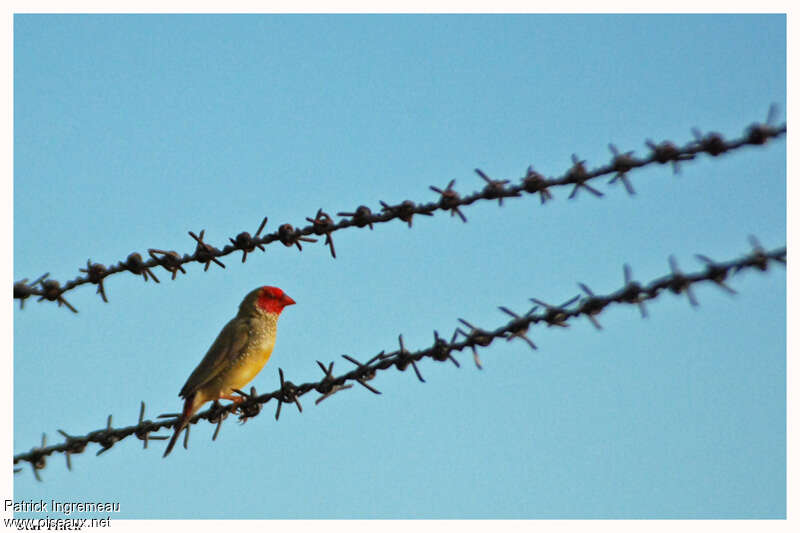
x: 239, y: 353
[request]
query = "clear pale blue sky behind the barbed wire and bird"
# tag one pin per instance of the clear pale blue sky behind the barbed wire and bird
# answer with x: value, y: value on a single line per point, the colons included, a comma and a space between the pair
x: 131, y: 130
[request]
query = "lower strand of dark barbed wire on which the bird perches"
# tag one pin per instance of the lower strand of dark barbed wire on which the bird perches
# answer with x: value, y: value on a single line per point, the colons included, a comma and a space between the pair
x: 589, y: 305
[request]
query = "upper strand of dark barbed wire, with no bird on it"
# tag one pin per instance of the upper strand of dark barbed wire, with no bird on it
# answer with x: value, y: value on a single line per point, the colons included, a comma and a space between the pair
x: 322, y: 224
